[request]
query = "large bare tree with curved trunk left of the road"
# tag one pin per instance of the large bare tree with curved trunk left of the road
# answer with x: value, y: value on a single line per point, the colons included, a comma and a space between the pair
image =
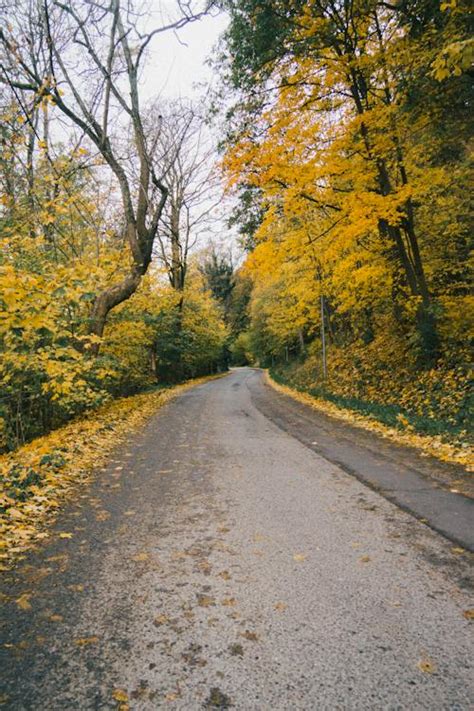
x: 84, y: 58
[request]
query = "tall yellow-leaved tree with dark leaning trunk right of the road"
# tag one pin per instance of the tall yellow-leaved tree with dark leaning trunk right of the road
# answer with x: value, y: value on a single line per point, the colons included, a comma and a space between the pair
x: 331, y: 132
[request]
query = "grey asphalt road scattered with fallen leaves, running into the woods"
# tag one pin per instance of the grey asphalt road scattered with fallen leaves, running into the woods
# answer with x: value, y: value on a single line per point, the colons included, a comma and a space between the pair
x: 220, y: 561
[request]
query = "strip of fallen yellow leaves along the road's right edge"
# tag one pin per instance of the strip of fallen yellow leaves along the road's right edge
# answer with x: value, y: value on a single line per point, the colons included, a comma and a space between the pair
x: 385, y: 420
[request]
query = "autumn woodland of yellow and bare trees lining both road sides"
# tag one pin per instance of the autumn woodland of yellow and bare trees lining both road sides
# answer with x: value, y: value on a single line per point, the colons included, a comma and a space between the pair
x: 343, y: 132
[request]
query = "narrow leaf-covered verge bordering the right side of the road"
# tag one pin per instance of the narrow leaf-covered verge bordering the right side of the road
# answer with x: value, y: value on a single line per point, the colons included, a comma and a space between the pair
x: 429, y: 445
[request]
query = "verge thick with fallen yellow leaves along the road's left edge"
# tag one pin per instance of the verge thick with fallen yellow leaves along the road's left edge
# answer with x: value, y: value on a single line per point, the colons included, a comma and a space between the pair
x: 38, y: 478
